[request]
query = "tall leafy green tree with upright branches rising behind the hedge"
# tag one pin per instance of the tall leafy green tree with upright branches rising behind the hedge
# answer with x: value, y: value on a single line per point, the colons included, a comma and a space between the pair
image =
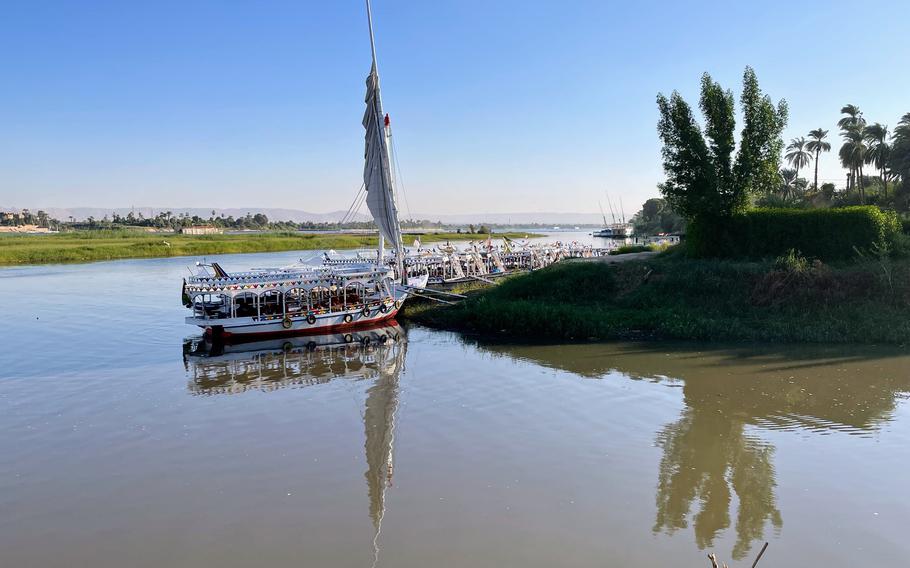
x: 704, y: 180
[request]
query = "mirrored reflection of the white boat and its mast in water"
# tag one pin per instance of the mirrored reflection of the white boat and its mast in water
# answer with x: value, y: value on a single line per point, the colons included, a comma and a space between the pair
x: 376, y: 355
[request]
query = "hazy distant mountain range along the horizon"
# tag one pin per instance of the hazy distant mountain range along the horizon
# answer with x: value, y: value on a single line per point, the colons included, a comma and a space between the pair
x: 299, y: 216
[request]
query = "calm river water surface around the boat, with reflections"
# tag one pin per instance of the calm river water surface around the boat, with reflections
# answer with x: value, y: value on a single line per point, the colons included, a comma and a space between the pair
x: 123, y: 442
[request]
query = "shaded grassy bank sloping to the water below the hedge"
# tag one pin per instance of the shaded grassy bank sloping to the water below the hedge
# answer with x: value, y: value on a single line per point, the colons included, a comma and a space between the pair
x: 675, y: 297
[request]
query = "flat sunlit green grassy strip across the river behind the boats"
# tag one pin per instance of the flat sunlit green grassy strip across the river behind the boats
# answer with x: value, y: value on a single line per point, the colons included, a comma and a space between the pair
x: 86, y: 246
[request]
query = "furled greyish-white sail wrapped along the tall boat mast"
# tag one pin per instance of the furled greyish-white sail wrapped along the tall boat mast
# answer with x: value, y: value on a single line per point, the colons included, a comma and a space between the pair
x: 377, y: 172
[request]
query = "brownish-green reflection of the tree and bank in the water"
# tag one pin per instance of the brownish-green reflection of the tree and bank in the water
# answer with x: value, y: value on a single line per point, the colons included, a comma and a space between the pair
x: 714, y: 454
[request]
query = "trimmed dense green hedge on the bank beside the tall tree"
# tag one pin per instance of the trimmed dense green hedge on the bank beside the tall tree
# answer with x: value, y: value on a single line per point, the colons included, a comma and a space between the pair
x: 827, y: 234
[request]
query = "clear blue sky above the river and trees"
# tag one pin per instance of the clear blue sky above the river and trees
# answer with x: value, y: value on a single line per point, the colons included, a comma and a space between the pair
x: 496, y: 106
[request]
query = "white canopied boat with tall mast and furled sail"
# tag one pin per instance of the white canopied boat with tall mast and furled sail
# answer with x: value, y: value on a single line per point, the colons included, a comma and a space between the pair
x: 302, y: 299
